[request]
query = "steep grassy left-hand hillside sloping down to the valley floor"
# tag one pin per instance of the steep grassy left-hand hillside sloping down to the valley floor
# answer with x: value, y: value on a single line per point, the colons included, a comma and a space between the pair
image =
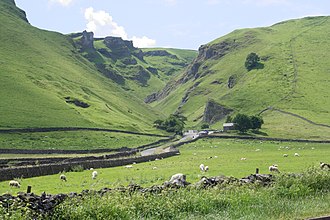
x: 45, y: 82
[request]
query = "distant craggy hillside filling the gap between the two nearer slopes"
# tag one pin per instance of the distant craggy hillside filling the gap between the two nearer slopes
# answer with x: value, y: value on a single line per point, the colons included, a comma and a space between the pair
x: 140, y: 71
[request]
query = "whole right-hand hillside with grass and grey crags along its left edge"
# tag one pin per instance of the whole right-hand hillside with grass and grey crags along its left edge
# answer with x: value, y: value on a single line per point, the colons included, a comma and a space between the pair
x: 292, y: 76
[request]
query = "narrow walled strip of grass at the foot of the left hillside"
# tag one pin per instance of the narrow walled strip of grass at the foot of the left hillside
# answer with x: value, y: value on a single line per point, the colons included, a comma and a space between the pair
x: 73, y: 140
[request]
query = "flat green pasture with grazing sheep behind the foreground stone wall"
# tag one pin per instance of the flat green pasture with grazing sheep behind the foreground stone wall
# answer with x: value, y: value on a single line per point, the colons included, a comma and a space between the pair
x: 222, y: 156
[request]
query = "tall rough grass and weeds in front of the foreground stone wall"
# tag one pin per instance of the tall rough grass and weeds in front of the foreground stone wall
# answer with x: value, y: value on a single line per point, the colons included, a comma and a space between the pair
x: 236, y: 202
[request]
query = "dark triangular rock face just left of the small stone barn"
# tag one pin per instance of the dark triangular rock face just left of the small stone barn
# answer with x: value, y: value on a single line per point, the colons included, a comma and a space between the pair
x: 214, y: 112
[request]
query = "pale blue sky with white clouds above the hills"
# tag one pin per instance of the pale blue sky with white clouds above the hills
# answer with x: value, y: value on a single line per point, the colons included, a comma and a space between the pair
x: 185, y: 24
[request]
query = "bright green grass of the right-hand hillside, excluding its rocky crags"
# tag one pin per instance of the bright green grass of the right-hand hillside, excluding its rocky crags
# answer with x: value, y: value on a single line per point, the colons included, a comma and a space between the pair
x: 294, y: 77
